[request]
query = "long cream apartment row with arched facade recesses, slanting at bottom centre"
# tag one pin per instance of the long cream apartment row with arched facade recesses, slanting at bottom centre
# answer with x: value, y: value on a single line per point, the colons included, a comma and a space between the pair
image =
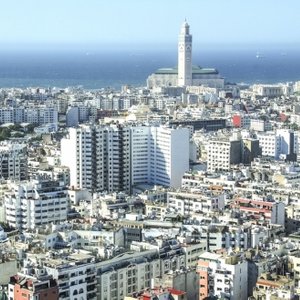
x: 135, y: 271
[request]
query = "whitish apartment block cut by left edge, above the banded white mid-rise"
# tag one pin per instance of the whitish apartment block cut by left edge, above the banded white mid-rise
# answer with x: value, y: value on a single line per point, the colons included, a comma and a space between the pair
x: 13, y: 161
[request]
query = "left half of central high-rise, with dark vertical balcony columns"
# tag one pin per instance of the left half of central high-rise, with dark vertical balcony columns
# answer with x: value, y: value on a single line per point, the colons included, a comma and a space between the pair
x: 98, y: 157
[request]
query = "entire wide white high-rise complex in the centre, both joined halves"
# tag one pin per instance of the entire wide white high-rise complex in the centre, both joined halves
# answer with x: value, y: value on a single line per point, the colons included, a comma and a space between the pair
x: 114, y: 158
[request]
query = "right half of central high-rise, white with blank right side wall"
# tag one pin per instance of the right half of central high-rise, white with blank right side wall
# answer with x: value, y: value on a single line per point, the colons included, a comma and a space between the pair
x: 159, y: 155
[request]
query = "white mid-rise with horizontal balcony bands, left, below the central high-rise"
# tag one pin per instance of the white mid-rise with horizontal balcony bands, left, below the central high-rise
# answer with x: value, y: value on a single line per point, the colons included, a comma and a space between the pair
x: 34, y: 203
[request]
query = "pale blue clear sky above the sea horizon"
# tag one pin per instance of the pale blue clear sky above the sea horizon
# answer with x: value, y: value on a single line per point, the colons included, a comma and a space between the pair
x: 146, y: 23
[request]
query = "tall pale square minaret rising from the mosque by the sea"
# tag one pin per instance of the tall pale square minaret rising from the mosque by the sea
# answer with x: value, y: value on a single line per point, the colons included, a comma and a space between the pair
x: 185, y: 56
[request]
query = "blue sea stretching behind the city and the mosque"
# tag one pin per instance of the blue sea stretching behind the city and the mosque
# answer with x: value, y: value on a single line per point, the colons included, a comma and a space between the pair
x: 95, y: 69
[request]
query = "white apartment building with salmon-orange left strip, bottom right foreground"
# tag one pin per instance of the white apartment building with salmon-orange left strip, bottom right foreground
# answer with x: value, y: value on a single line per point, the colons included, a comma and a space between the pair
x: 223, y: 276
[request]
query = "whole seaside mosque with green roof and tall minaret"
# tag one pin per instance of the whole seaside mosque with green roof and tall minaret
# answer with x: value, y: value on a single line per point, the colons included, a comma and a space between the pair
x: 185, y: 74
